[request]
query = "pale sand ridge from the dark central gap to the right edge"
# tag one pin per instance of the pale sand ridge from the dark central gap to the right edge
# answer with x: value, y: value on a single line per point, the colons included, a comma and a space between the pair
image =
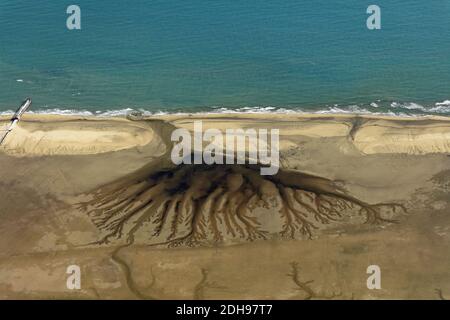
x: 368, y: 134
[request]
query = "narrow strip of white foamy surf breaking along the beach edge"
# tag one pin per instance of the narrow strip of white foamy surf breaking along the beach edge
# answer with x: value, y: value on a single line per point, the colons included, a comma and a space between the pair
x: 386, y: 108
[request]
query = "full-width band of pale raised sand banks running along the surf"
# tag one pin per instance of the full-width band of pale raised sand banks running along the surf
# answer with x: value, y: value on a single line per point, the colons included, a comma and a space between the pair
x: 71, y: 135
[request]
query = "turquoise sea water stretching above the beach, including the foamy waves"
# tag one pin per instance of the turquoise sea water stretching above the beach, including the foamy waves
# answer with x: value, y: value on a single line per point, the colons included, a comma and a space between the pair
x: 187, y: 56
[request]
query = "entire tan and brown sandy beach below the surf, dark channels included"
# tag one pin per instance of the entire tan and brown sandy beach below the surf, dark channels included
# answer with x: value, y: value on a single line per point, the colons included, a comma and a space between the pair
x: 101, y: 193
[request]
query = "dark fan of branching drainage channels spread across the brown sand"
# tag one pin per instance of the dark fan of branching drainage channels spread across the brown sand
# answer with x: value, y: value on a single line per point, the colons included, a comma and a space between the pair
x: 192, y: 205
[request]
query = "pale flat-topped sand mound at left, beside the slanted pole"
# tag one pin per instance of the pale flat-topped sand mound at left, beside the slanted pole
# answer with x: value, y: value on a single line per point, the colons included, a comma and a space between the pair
x: 65, y: 136
